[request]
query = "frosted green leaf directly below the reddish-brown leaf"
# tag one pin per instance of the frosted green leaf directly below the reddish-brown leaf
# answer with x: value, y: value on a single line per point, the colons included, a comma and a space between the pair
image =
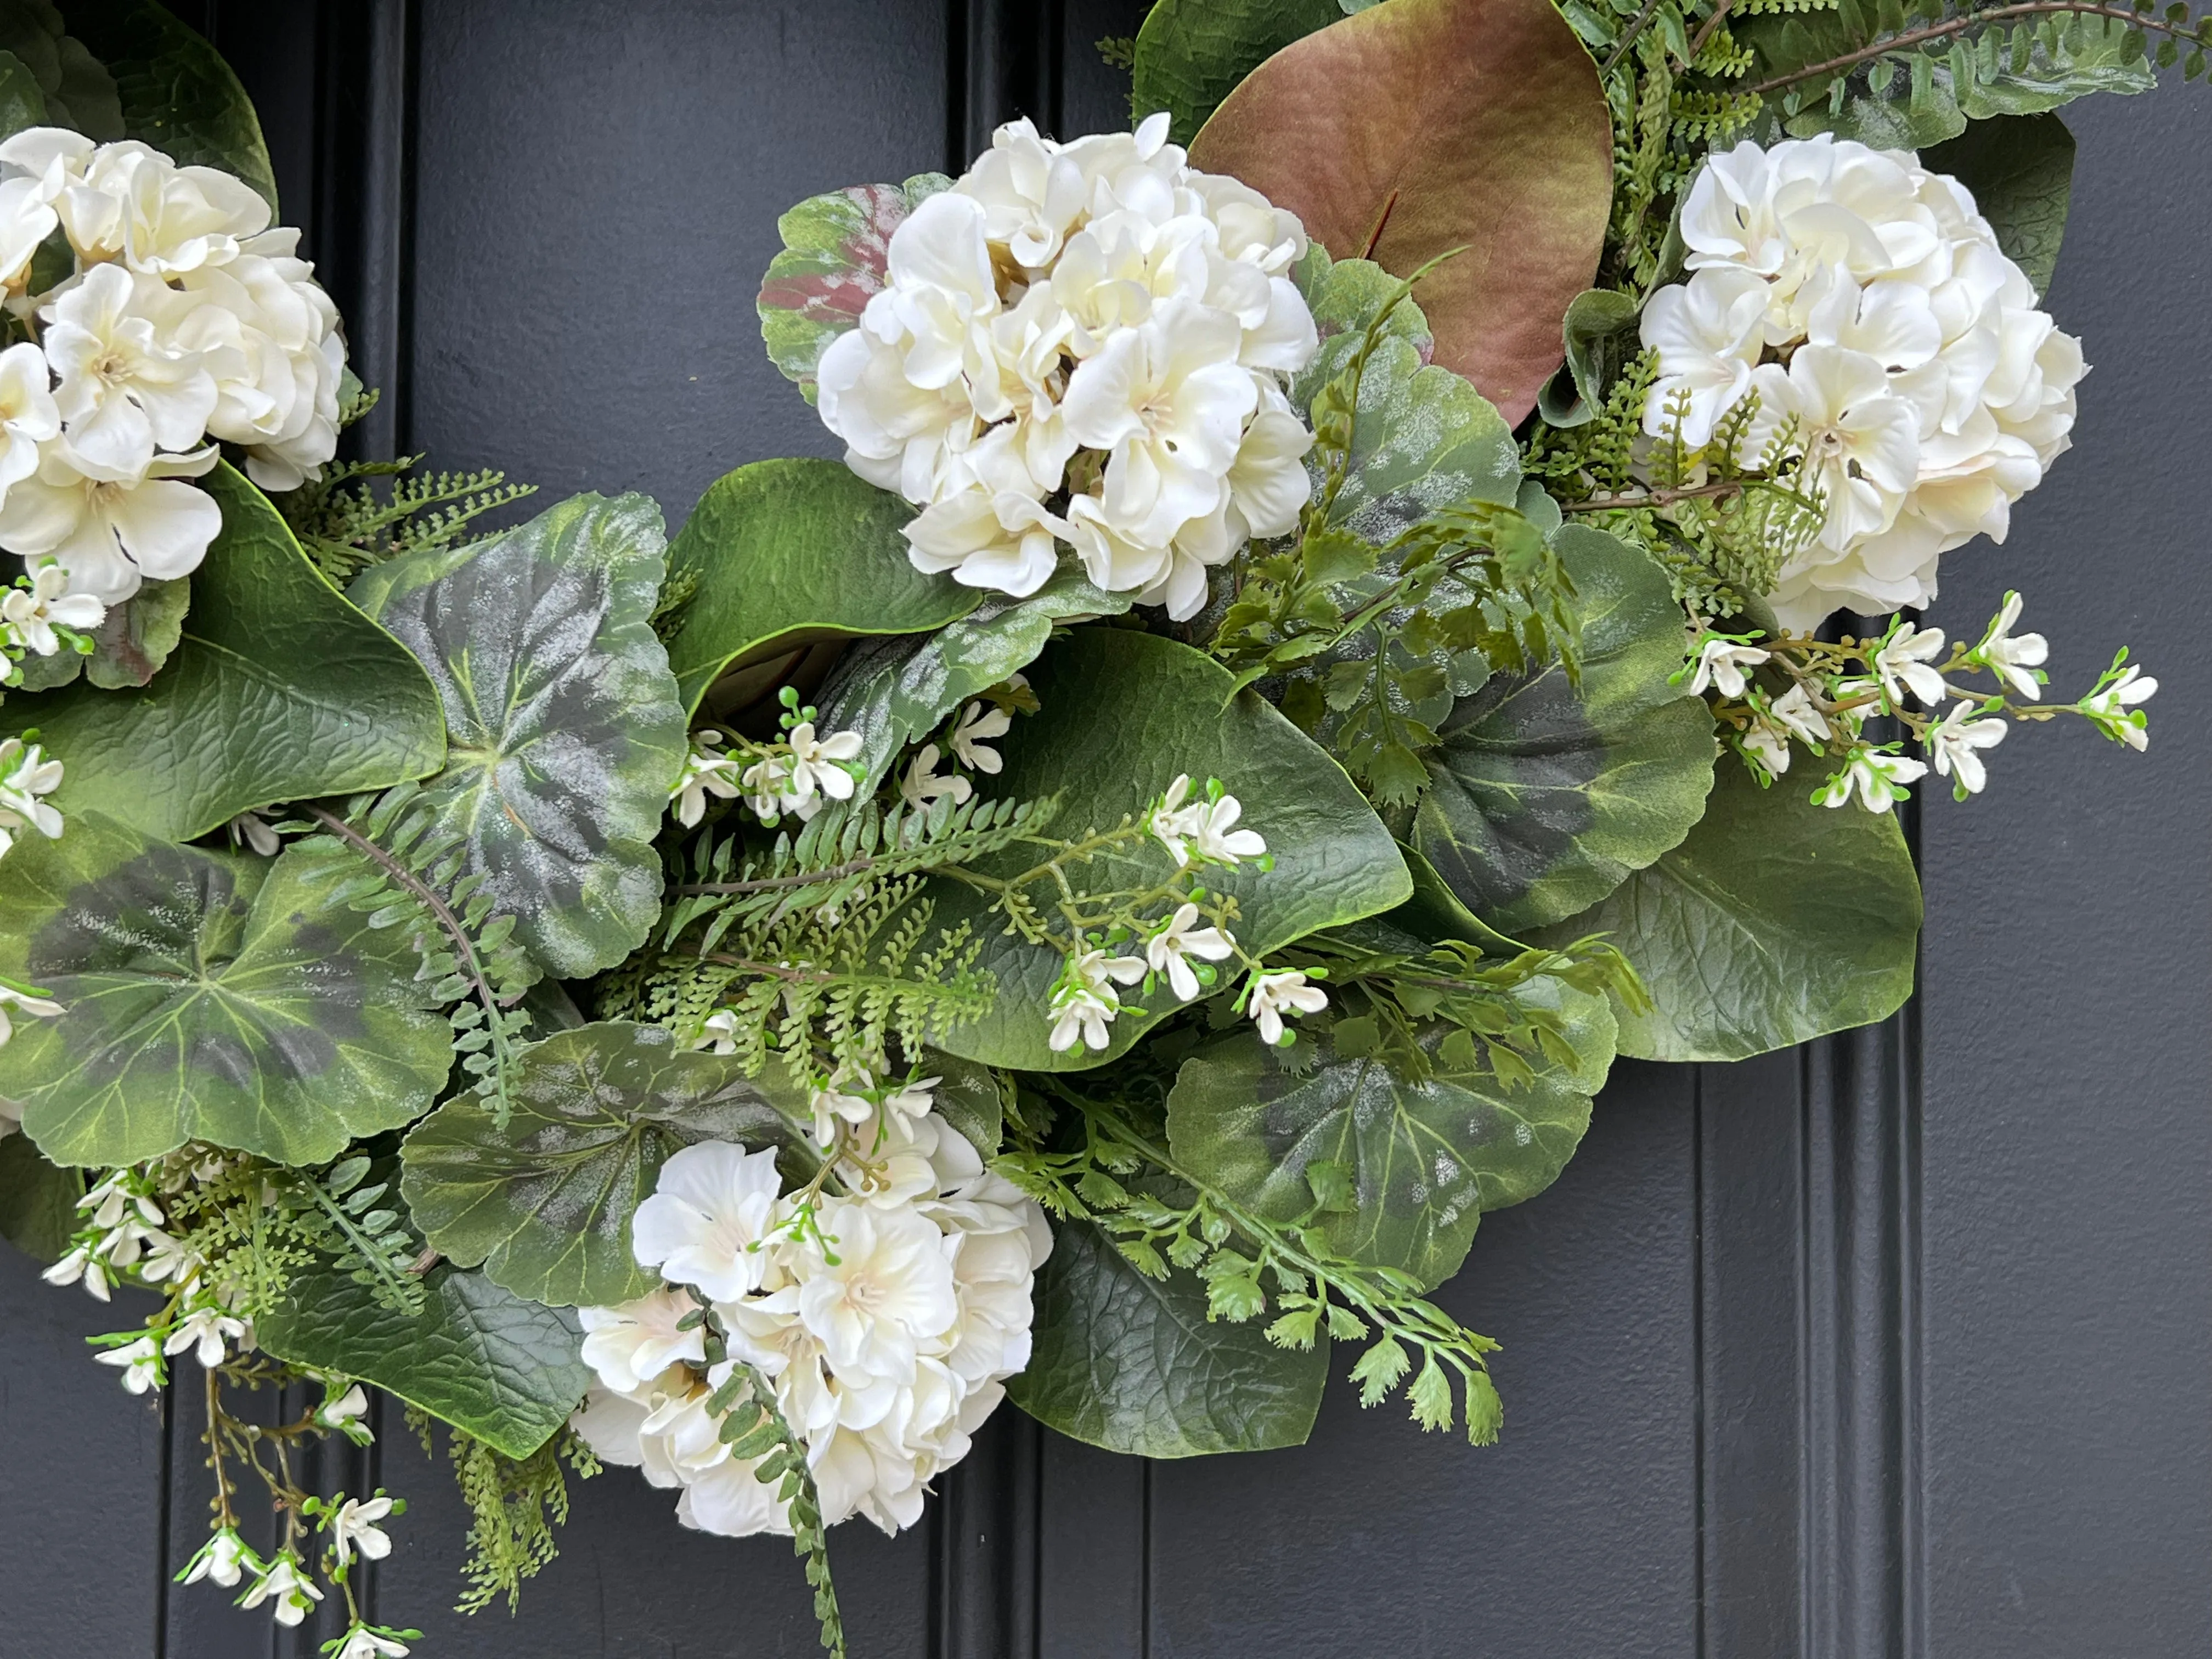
x: 1421, y: 437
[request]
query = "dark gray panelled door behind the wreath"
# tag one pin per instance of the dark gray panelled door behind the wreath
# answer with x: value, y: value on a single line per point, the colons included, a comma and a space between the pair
x: 1888, y: 1348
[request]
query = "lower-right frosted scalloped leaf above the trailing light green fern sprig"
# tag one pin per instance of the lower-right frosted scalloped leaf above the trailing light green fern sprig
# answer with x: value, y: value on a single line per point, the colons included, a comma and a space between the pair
x: 1426, y: 1160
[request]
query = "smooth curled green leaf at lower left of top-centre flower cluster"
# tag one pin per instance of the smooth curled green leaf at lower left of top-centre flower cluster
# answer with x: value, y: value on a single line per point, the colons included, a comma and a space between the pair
x: 789, y: 554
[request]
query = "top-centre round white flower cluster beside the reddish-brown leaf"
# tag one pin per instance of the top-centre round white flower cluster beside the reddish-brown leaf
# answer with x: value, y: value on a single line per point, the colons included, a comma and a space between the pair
x: 1083, y: 344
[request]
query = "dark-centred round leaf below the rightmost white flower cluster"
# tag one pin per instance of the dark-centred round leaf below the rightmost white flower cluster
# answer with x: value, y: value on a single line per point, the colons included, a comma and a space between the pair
x: 1547, y: 795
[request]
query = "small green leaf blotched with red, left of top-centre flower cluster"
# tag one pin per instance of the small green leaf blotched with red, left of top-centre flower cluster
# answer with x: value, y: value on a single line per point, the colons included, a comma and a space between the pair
x: 835, y: 258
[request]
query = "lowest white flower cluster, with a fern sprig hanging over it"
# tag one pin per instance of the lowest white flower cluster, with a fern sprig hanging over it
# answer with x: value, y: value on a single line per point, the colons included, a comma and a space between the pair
x: 884, y: 1326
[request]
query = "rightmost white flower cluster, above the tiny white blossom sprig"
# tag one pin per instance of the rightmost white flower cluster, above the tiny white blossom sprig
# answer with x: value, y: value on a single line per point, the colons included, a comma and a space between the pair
x: 1866, y: 300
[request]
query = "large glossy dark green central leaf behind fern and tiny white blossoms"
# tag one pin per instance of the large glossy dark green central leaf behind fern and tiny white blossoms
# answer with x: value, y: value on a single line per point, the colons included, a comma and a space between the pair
x: 1123, y: 716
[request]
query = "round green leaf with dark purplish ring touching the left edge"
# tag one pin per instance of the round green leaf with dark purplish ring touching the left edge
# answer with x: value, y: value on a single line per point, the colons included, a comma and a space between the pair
x: 207, y: 997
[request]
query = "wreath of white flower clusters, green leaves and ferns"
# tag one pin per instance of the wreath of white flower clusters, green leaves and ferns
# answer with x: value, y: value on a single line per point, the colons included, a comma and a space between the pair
x: 1322, y: 638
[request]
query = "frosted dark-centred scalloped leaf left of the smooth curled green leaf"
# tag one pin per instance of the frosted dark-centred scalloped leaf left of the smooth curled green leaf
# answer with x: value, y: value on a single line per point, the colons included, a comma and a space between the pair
x: 565, y: 722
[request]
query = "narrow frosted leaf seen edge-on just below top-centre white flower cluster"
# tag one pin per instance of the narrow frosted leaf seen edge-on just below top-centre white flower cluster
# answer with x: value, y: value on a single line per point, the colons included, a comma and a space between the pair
x: 897, y: 691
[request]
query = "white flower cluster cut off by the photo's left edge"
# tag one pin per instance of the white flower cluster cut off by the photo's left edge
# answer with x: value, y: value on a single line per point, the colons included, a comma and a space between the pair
x: 187, y: 320
